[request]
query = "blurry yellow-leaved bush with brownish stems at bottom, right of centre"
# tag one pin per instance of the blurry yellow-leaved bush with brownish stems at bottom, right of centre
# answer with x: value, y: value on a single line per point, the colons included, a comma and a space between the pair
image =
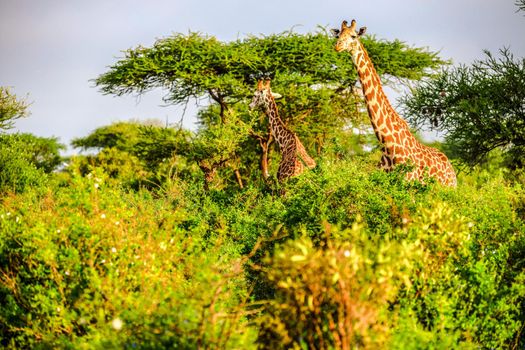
x: 334, y: 297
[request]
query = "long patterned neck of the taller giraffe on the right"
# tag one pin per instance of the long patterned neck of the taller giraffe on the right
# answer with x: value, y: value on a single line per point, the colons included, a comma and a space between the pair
x: 388, y: 126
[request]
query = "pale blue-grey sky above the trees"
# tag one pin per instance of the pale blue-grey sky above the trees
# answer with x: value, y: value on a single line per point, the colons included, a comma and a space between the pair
x: 51, y: 50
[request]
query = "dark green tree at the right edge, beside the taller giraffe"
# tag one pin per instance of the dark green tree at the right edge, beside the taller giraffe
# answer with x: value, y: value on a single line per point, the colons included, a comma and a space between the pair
x: 480, y: 107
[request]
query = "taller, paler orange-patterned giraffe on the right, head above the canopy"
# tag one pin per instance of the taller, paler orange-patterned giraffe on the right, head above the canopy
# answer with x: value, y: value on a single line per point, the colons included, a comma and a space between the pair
x: 392, y: 131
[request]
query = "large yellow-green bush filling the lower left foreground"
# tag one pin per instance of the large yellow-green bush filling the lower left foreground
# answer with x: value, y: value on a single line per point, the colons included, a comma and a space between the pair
x: 114, y: 270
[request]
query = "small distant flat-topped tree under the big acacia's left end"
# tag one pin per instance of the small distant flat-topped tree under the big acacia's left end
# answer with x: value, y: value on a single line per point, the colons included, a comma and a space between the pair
x: 135, y: 153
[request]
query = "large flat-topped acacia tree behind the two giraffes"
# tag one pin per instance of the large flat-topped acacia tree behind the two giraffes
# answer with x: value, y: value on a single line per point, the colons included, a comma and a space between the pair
x: 315, y: 82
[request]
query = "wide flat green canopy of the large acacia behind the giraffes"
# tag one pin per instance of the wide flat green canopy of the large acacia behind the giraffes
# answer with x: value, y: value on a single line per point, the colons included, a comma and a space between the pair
x: 196, y: 65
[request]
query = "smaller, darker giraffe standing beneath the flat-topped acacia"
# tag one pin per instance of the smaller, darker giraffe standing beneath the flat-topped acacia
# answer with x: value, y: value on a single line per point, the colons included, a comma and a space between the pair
x: 292, y: 150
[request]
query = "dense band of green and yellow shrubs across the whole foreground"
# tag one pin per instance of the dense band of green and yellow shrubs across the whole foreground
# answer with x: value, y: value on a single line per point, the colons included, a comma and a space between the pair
x: 344, y: 255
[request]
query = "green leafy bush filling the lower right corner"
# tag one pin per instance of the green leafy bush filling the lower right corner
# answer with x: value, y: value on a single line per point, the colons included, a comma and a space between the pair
x: 461, y: 289
